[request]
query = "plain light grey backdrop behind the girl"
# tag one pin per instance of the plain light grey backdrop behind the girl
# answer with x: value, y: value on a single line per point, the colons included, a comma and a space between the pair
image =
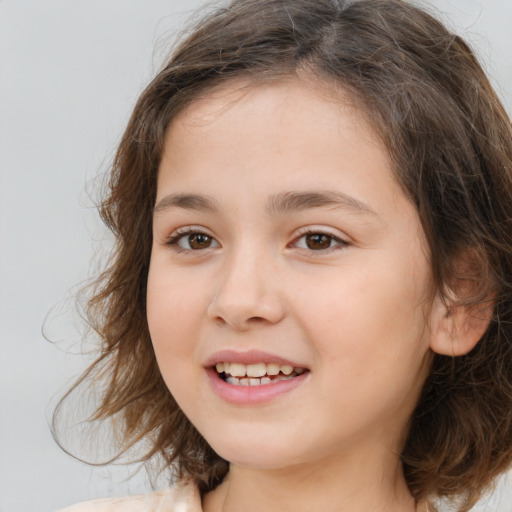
x: 70, y: 72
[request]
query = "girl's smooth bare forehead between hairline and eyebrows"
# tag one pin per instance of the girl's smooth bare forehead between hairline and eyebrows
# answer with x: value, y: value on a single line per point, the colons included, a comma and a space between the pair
x: 271, y: 139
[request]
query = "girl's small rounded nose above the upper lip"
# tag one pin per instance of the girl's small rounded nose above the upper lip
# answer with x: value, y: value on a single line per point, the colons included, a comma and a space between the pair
x: 248, y: 293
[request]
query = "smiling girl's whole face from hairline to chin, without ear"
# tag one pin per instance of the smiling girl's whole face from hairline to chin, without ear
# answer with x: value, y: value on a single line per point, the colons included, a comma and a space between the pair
x: 289, y: 284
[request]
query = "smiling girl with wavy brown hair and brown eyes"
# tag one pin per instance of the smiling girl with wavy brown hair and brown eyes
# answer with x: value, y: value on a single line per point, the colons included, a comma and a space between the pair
x: 309, y: 306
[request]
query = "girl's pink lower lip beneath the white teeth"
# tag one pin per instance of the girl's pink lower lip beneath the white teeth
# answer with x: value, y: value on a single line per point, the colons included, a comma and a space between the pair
x: 251, y: 395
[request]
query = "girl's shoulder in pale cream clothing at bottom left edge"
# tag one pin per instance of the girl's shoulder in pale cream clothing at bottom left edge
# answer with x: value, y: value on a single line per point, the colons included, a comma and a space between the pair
x: 183, y: 497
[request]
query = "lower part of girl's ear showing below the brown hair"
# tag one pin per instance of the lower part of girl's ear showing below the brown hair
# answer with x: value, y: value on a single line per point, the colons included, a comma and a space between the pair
x: 457, y: 328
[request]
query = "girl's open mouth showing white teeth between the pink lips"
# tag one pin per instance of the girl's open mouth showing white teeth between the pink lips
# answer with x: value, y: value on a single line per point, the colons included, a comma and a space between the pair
x: 257, y: 374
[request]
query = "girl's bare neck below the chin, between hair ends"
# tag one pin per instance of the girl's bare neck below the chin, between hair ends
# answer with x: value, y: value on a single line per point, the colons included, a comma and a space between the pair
x: 346, y: 485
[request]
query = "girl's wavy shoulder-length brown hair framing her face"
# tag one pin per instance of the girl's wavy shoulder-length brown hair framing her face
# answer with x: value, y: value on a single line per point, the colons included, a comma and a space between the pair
x: 450, y: 141
